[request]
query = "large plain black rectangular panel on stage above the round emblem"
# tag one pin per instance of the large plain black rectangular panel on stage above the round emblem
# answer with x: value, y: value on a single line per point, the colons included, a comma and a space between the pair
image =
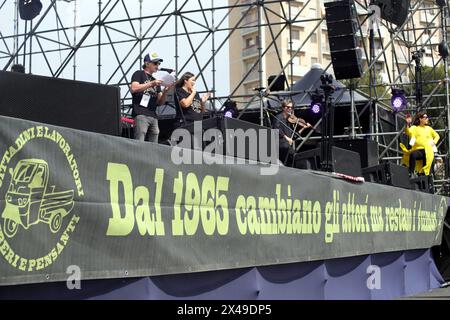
x: 67, y: 103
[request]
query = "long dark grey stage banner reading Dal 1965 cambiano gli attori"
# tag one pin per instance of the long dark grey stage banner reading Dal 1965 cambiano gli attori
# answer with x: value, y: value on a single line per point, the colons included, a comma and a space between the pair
x: 80, y: 204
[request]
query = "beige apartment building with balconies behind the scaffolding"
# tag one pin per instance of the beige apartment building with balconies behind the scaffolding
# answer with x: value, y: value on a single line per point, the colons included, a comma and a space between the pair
x: 297, y: 38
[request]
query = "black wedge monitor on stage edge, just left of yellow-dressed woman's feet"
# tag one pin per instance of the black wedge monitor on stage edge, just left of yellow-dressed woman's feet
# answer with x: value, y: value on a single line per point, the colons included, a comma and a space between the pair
x: 389, y: 174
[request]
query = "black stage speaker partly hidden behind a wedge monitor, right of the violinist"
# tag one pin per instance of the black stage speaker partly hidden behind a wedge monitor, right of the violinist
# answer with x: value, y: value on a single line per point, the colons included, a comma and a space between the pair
x: 367, y: 149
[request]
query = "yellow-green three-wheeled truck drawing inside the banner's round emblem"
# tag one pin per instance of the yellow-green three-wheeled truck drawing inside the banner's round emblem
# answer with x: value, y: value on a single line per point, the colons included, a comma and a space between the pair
x: 30, y: 200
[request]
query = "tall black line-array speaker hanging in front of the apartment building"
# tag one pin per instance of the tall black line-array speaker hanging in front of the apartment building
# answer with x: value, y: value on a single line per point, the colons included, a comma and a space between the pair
x: 342, y: 27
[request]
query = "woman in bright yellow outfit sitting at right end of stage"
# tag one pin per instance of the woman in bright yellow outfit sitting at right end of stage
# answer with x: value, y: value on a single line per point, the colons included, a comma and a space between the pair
x: 423, y: 140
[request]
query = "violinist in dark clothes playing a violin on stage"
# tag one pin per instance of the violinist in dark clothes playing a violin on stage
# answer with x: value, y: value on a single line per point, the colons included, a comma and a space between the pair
x: 287, y: 124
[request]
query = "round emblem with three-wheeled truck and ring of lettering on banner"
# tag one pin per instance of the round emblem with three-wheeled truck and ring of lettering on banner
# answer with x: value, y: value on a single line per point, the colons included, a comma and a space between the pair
x: 36, y: 214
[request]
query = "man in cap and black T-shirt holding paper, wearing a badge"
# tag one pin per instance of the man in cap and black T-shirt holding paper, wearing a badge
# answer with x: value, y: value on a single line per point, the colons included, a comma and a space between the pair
x: 147, y: 95
